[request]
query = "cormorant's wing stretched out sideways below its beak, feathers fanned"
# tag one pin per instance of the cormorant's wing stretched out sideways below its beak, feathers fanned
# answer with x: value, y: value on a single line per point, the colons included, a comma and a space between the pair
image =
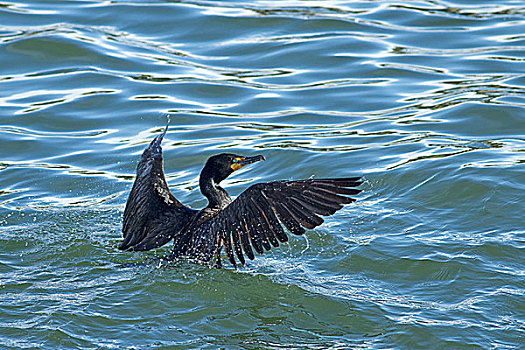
x: 254, y: 218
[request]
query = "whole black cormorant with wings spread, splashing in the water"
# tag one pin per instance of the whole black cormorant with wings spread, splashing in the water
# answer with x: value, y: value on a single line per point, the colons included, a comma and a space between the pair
x: 153, y: 216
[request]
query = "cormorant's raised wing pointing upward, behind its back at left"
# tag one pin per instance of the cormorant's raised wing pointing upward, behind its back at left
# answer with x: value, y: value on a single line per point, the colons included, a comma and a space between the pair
x: 153, y: 216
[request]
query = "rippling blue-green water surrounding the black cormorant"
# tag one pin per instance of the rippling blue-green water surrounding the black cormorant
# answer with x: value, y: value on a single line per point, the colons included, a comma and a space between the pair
x: 424, y: 99
